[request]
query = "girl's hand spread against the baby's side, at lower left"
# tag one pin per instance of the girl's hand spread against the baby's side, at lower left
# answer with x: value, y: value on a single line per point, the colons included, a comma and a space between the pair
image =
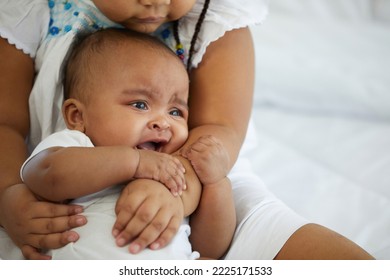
x: 37, y: 225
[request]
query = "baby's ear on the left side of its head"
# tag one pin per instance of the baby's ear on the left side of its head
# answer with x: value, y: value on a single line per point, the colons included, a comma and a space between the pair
x: 72, y: 110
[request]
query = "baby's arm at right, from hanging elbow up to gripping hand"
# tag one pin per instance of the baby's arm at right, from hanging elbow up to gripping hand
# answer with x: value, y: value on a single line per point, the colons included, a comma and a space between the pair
x: 216, y: 213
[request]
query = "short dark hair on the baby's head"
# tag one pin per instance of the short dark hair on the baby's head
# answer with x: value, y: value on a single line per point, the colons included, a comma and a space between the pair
x: 79, y: 59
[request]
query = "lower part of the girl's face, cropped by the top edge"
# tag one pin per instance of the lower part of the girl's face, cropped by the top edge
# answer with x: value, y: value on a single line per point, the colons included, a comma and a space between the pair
x: 144, y: 15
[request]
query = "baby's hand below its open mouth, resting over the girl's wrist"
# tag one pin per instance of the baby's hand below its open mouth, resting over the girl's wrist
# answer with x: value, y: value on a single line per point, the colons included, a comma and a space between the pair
x: 163, y: 168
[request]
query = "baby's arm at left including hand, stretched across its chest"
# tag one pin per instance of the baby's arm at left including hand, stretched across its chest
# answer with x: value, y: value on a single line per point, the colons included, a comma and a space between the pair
x: 61, y: 173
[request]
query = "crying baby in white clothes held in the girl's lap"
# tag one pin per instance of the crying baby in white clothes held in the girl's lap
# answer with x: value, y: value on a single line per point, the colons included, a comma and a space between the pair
x: 126, y: 111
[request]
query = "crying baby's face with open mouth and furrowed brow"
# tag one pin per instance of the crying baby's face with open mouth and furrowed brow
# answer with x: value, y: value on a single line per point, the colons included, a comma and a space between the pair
x: 138, y: 98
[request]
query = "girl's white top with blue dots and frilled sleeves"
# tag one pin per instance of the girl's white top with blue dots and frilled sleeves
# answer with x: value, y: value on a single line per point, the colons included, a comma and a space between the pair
x: 44, y: 29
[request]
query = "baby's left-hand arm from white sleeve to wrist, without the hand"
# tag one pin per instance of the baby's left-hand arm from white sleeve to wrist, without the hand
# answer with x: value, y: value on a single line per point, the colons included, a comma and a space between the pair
x: 61, y: 173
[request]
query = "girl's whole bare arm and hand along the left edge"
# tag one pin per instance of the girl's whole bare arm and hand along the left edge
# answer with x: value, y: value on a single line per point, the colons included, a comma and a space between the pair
x: 21, y: 215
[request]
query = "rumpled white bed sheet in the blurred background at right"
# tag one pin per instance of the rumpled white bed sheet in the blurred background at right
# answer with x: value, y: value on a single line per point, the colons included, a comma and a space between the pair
x: 322, y: 111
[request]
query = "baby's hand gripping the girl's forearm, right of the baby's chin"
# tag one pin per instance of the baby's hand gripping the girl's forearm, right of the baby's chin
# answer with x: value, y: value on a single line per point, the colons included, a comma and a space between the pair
x: 209, y: 159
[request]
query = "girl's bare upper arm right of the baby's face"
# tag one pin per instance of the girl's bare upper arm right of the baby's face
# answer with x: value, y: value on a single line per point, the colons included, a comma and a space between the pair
x: 222, y: 91
